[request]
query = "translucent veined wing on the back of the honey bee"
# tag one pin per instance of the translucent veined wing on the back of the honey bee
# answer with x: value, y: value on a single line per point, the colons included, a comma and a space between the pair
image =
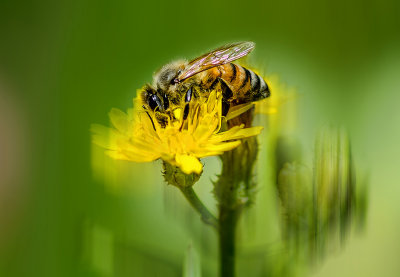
x: 217, y: 57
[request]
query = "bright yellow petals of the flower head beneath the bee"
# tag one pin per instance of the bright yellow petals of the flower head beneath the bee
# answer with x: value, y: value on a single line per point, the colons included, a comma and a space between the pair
x: 137, y: 136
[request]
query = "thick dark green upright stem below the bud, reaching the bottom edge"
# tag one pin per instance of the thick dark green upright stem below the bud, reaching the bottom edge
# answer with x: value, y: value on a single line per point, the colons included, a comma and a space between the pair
x: 227, y: 227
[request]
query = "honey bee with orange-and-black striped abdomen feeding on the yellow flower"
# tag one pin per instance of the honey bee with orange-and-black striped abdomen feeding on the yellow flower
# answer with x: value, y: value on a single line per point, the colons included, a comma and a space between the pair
x: 177, y: 83
